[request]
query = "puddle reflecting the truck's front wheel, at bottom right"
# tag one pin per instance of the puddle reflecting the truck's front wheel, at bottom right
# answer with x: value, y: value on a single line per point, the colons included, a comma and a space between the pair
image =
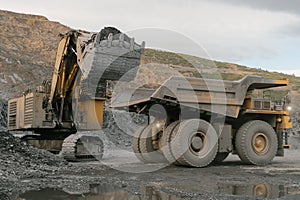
x: 259, y: 190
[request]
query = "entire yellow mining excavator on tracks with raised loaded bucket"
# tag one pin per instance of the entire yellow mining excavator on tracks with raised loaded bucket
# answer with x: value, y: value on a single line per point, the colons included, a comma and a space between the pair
x: 74, y: 99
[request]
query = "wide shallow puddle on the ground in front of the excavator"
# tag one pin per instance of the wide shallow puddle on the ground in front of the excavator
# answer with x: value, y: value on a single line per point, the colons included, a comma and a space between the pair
x: 102, y: 192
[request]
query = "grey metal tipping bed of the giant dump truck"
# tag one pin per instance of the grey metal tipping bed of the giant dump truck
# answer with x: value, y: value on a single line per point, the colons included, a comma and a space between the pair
x: 210, y: 95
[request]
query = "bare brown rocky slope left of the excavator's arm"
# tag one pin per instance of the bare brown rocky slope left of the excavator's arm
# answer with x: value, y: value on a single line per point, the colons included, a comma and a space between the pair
x: 27, y: 50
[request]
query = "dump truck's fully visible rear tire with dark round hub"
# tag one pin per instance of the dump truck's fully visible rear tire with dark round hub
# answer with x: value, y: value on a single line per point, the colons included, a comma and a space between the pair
x: 195, y: 143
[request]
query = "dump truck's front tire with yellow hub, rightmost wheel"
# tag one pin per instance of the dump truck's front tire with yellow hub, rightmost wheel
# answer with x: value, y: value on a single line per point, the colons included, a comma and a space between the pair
x: 256, y: 142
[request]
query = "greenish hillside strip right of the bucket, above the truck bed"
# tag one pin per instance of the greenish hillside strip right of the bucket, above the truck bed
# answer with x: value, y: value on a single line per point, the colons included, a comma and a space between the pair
x: 192, y: 65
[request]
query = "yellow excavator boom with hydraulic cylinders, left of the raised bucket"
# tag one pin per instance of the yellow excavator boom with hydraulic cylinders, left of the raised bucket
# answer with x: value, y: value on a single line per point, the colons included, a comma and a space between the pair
x: 63, y: 78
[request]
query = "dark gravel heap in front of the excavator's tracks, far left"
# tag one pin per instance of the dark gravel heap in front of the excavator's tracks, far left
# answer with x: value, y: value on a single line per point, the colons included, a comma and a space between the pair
x: 18, y: 160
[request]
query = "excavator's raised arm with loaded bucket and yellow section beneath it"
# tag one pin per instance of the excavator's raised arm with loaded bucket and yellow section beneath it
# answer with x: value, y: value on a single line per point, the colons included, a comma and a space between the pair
x: 84, y: 63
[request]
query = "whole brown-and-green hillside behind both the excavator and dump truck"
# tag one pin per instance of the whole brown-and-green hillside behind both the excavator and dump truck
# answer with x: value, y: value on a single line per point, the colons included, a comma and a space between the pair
x: 28, y: 48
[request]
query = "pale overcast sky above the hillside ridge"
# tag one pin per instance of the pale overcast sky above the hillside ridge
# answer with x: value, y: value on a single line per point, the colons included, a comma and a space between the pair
x: 257, y: 33
